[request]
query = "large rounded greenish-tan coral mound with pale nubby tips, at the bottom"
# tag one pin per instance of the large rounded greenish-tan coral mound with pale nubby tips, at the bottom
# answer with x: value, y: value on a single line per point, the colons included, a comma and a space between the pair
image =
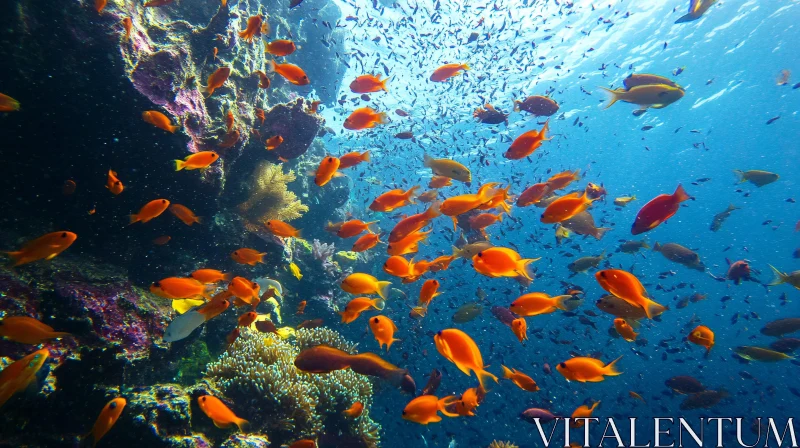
x: 285, y: 403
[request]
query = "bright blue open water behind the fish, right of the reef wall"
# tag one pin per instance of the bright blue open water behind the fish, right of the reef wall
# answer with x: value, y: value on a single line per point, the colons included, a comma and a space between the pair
x: 732, y: 57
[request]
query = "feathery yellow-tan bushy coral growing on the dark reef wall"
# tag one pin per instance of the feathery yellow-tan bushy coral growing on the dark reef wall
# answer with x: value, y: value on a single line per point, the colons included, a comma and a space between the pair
x: 269, y: 197
